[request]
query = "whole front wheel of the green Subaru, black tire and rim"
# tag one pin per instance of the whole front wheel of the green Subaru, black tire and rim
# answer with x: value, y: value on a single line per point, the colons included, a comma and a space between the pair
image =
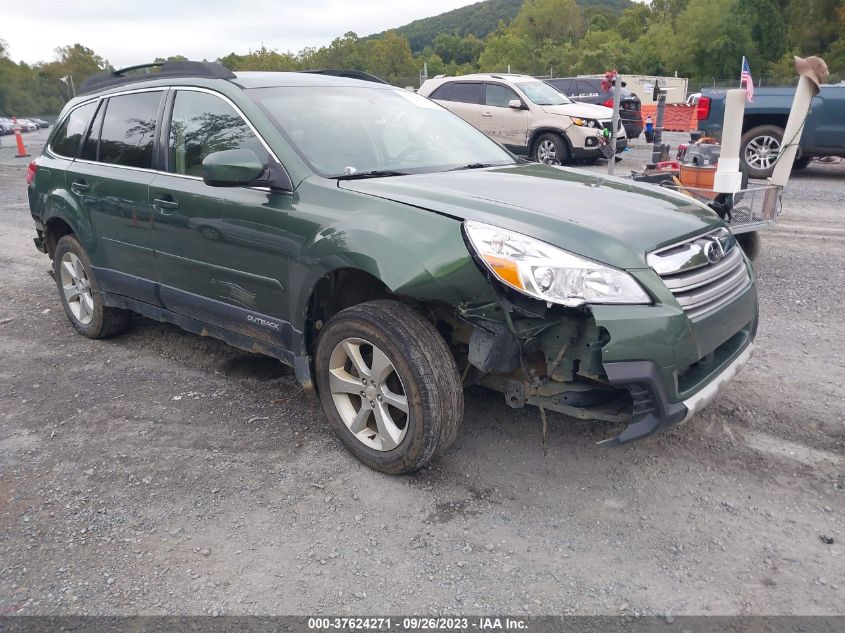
x: 418, y: 363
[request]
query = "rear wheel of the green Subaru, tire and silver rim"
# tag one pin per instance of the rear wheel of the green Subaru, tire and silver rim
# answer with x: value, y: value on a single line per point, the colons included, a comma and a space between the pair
x: 83, y: 302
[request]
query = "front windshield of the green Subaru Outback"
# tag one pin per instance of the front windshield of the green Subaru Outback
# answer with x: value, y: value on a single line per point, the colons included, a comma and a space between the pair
x: 344, y: 131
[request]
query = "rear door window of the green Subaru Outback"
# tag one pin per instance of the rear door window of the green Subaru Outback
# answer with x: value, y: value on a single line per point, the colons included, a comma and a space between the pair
x: 129, y: 130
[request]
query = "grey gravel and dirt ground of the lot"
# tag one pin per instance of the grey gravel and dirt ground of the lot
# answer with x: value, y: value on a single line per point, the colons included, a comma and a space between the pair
x: 160, y: 472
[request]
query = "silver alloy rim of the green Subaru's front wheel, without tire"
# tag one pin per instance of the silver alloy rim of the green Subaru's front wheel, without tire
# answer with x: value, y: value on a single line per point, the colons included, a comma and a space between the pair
x: 368, y: 394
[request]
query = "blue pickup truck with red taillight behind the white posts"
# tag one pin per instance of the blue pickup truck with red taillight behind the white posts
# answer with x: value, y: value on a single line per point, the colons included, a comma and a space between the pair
x: 765, y: 120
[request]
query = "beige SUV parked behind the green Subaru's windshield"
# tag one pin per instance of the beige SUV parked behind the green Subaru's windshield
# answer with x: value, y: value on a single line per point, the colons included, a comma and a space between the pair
x: 527, y: 116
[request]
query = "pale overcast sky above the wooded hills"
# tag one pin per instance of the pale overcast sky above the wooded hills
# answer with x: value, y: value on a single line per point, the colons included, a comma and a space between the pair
x: 131, y: 32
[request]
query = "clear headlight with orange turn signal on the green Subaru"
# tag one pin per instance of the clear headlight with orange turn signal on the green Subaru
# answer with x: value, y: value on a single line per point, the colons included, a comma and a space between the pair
x: 548, y: 273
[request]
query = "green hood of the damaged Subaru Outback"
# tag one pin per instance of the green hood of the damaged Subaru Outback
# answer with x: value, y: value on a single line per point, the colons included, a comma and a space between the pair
x: 606, y: 219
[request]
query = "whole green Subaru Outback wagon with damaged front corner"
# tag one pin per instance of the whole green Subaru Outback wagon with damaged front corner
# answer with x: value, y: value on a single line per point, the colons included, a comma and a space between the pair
x: 388, y: 251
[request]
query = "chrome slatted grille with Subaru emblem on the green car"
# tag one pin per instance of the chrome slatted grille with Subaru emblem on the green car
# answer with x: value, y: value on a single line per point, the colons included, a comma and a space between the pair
x: 704, y: 273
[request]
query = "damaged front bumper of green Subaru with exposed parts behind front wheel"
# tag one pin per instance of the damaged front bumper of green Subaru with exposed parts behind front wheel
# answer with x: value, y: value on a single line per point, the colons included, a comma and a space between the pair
x: 646, y: 366
